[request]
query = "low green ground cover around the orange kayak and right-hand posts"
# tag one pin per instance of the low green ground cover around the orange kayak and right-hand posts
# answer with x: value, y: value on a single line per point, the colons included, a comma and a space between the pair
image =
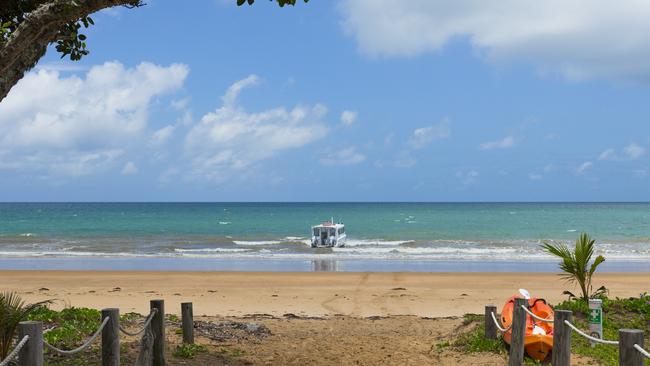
x: 632, y: 313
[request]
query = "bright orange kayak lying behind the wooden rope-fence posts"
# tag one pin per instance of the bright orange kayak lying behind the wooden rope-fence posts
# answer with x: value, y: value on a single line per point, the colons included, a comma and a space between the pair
x: 540, y: 343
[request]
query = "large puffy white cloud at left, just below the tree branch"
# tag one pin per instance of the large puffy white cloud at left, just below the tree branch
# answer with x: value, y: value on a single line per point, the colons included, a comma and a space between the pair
x: 77, y: 125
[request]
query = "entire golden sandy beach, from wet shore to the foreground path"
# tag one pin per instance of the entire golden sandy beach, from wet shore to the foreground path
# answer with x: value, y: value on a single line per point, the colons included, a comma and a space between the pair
x: 312, y: 318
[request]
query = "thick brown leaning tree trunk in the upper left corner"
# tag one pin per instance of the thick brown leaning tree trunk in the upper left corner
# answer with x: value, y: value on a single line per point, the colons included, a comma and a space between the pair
x: 28, y: 43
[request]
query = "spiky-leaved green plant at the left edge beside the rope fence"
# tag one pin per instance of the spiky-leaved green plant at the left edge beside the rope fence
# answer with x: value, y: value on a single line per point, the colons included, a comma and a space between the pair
x: 13, y: 310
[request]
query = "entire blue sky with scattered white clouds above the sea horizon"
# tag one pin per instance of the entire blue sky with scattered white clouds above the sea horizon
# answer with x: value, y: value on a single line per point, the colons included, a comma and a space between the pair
x: 340, y: 100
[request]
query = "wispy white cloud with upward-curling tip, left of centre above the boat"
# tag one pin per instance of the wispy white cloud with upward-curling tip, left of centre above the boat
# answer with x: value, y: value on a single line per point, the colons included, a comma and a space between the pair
x: 232, y: 139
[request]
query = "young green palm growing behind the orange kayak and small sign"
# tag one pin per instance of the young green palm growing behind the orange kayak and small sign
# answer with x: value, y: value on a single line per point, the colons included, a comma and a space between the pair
x: 576, y: 264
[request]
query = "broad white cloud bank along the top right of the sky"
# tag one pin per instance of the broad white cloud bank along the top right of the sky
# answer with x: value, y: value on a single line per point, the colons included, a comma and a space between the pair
x: 577, y: 38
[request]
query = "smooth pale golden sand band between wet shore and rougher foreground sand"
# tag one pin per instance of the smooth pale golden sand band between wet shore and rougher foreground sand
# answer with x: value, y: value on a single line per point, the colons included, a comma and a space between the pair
x: 355, y: 294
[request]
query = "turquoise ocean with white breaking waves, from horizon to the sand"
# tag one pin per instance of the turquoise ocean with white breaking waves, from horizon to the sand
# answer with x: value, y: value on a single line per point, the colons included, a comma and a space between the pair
x: 275, y: 236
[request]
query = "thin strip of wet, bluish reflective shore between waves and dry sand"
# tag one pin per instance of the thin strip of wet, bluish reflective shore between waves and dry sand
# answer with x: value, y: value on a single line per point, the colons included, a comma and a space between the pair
x: 175, y: 264
